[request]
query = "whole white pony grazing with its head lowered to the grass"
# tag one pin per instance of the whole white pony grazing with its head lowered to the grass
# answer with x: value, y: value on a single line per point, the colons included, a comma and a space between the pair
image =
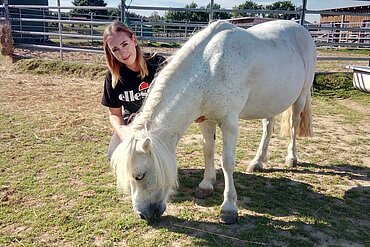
x: 221, y: 74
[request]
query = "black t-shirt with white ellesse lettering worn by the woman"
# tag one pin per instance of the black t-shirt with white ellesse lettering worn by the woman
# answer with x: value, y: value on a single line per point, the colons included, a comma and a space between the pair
x: 130, y: 90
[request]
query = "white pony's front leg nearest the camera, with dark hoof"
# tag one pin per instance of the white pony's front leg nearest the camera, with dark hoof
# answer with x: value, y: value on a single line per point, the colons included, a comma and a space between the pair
x: 229, y: 127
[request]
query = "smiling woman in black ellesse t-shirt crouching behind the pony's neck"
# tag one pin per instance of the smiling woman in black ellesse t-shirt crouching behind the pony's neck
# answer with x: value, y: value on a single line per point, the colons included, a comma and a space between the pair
x: 128, y: 77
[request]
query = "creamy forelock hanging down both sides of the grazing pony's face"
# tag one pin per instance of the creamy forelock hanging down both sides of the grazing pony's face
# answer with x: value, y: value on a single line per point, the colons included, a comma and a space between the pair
x: 124, y: 155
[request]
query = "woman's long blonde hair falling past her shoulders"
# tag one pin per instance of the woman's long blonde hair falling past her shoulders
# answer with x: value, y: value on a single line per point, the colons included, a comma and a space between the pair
x: 113, y: 64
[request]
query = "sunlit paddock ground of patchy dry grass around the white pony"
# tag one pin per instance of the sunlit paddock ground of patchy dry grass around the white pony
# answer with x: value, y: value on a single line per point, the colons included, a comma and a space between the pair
x: 57, y: 189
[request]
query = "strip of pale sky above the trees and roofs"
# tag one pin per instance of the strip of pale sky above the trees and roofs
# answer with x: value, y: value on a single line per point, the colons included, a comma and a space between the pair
x: 227, y: 4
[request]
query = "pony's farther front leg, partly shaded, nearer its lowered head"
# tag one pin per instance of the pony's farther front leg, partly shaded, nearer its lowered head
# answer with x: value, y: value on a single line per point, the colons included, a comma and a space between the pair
x: 206, y: 188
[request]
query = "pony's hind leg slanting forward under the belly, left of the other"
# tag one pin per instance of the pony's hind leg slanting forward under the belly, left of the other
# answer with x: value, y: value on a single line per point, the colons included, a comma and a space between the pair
x: 261, y: 156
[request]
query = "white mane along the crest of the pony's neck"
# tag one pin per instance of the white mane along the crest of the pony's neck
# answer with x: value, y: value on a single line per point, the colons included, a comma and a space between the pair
x: 163, y: 78
